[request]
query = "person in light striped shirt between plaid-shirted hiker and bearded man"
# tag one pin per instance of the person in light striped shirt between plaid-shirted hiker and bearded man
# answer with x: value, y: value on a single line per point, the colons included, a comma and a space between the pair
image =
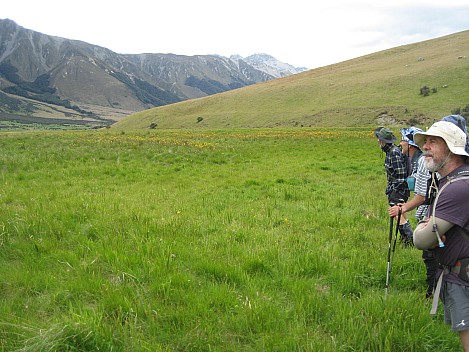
x: 421, y: 176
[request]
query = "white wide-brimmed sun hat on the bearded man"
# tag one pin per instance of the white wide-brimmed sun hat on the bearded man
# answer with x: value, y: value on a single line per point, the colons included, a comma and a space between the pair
x: 454, y: 137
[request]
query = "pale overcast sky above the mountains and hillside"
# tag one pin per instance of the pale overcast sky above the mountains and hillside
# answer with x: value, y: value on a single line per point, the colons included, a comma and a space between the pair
x: 298, y: 32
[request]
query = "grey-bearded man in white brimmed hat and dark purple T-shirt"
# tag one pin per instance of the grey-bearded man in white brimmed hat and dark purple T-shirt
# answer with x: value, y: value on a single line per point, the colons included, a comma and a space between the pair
x: 445, y: 230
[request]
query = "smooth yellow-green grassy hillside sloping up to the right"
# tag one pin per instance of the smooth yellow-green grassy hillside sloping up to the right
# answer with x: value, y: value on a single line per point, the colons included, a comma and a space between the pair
x: 383, y: 87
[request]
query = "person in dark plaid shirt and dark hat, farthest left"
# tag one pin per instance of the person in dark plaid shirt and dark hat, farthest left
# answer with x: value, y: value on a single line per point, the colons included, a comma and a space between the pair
x: 395, y: 164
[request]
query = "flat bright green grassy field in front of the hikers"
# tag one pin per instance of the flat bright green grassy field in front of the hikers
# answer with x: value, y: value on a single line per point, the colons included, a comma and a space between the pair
x: 207, y: 240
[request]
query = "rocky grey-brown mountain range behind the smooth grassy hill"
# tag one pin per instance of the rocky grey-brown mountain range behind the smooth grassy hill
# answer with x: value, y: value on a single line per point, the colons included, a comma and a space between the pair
x: 42, y: 74
